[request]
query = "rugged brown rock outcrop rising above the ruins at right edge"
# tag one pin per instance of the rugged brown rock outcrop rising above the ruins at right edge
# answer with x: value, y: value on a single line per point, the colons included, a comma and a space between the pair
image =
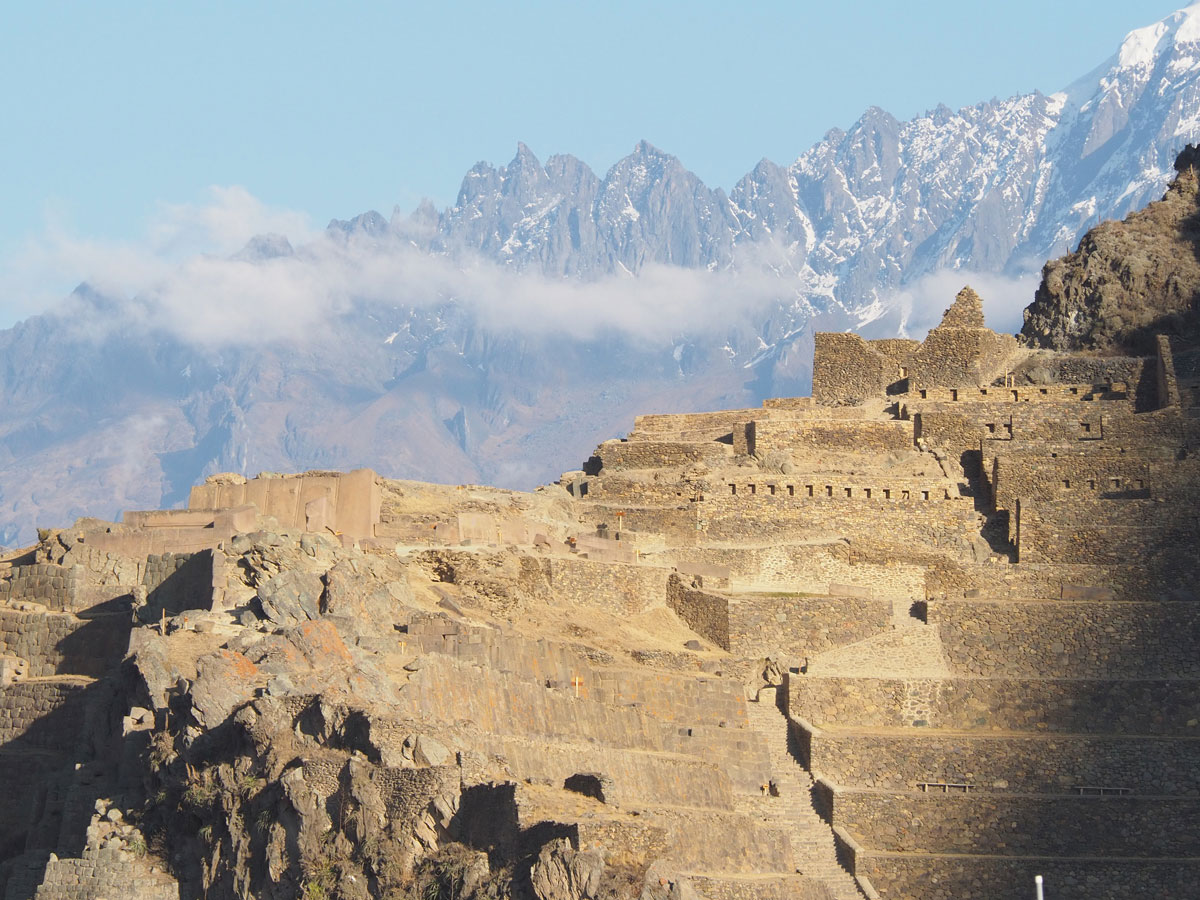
x: 1129, y: 280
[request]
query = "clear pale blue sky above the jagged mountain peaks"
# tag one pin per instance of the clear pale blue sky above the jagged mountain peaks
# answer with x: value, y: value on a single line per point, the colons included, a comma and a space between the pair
x: 121, y: 116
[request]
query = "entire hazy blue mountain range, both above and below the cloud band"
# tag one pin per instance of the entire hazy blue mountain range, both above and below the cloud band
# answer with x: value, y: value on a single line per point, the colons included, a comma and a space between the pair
x: 103, y: 412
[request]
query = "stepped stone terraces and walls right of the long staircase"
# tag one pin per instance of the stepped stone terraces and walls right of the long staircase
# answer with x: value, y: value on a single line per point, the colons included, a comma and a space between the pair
x: 994, y: 663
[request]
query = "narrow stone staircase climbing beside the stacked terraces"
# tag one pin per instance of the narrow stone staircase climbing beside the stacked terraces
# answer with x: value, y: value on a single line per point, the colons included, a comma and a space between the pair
x: 812, y: 839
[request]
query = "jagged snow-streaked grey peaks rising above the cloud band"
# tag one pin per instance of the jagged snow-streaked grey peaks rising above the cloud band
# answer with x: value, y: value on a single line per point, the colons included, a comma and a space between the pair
x: 998, y: 187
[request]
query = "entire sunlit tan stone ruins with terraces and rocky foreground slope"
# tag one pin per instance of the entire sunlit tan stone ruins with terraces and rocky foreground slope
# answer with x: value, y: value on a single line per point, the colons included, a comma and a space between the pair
x: 926, y: 634
